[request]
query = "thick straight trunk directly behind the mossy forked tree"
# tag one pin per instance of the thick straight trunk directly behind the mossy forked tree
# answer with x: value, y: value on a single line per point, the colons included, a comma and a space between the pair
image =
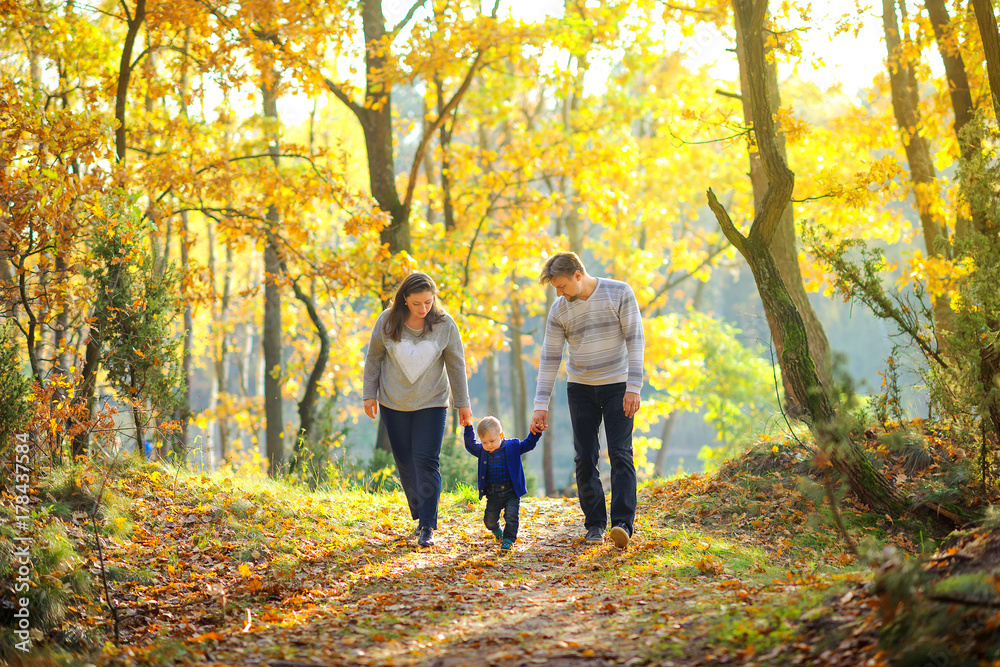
x: 784, y: 245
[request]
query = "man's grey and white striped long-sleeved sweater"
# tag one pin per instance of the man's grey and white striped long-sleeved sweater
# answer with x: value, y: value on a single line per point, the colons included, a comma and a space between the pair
x: 604, y: 335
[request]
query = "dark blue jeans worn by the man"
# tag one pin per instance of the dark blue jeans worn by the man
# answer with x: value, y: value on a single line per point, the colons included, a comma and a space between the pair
x: 589, y: 405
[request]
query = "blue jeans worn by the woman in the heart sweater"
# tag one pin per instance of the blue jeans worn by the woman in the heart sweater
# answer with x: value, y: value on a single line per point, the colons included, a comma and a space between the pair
x: 415, y: 438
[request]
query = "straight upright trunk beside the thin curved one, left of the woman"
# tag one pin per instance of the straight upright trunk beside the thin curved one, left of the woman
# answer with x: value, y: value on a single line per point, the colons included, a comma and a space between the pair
x: 273, y: 380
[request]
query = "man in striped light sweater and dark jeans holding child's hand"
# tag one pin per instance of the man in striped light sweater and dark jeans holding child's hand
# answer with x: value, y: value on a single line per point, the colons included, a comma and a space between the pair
x: 600, y: 322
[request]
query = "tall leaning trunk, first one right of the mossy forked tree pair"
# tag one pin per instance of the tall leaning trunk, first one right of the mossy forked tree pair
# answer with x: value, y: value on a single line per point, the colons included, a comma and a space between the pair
x: 905, y: 99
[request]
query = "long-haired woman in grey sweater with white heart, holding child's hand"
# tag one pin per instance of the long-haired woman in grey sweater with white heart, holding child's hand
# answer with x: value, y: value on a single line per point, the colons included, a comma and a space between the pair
x: 414, y: 355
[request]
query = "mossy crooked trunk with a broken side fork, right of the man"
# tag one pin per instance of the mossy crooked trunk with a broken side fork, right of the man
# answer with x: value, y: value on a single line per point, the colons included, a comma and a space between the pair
x: 848, y: 458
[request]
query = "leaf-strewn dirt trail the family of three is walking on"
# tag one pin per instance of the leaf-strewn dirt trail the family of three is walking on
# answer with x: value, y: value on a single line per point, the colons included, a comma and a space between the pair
x: 554, y: 601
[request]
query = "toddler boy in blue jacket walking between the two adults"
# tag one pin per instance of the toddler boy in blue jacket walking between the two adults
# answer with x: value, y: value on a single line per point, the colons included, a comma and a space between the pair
x: 501, y: 475
